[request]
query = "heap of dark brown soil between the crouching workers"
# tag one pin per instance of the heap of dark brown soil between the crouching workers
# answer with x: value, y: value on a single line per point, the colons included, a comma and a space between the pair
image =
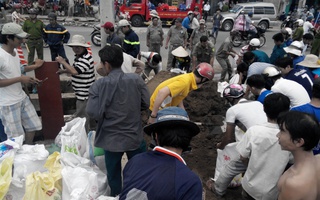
x: 207, y: 107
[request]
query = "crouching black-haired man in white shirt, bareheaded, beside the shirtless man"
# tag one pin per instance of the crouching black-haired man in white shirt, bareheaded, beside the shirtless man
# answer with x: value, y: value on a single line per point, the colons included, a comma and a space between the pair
x: 261, y: 153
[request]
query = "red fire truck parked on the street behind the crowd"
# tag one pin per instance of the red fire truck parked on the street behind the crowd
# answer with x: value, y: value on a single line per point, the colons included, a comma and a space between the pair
x: 138, y: 11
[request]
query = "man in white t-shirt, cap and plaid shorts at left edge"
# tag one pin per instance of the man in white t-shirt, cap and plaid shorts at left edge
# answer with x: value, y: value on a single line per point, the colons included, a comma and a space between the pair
x: 16, y: 110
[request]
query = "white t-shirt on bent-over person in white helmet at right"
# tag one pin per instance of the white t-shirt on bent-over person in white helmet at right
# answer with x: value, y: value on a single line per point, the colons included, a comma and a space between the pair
x: 296, y: 92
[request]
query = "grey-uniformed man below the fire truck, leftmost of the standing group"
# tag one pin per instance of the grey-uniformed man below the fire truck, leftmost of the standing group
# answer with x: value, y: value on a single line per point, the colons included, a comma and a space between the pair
x: 154, y: 35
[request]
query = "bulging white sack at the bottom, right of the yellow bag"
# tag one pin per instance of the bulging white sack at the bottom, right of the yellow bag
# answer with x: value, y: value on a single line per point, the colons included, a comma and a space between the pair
x: 81, y: 179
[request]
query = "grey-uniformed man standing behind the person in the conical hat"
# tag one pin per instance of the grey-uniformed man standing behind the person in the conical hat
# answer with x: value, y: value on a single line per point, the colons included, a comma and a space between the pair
x: 177, y: 36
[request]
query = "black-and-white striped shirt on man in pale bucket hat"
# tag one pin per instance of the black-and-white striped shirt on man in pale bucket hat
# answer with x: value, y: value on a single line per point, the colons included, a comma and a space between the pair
x: 81, y: 83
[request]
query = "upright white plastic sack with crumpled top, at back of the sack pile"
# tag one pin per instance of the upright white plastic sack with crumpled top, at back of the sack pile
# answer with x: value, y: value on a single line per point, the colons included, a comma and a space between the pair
x: 73, y: 137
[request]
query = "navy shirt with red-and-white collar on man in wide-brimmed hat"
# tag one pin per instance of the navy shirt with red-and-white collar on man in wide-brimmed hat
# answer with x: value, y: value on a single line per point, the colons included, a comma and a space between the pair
x: 159, y: 174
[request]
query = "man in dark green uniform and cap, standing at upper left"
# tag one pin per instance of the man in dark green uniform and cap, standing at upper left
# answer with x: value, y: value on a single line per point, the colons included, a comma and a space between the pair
x: 34, y: 27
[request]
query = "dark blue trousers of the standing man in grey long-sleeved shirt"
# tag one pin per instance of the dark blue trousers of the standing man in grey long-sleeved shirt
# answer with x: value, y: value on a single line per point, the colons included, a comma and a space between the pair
x: 113, y: 165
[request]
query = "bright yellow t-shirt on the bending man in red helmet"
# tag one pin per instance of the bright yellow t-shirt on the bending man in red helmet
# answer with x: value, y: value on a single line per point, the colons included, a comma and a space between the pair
x: 179, y: 87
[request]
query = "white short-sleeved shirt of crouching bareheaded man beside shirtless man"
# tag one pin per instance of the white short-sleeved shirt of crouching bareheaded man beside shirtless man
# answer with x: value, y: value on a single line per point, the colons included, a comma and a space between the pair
x: 266, y: 161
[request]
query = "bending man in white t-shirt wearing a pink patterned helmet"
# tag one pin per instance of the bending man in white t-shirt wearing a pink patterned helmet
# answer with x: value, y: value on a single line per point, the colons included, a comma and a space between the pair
x: 243, y: 114
